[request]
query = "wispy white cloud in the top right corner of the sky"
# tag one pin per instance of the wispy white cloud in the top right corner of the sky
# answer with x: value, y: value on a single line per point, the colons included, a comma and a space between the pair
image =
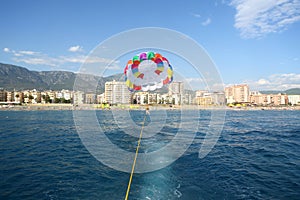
x: 255, y: 18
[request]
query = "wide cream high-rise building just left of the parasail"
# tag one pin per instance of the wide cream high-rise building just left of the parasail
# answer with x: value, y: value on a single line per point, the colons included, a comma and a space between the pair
x: 117, y: 92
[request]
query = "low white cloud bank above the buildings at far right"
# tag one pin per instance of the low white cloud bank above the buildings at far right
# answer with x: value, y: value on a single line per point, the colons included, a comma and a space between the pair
x: 276, y: 82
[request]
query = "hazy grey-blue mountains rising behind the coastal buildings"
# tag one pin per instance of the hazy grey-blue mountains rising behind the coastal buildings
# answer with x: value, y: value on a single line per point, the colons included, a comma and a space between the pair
x: 14, y: 77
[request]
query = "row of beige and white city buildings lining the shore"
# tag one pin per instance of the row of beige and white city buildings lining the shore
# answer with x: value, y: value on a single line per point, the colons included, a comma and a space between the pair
x: 116, y: 93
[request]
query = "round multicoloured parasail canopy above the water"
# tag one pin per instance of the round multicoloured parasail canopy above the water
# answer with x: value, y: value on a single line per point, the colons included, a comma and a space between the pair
x: 147, y: 71
